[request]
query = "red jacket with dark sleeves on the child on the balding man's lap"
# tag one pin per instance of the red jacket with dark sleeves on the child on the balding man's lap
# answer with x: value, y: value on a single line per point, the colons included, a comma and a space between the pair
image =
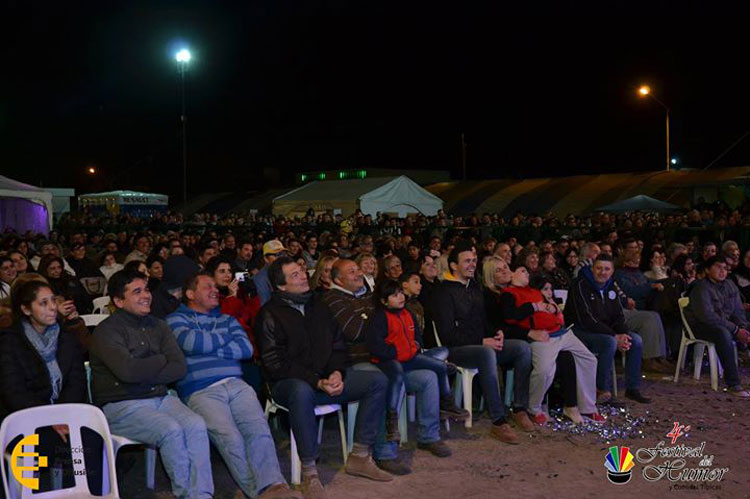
x: 393, y: 336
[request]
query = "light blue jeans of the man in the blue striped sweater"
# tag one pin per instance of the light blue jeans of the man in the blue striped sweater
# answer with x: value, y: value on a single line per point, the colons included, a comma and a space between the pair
x: 239, y: 431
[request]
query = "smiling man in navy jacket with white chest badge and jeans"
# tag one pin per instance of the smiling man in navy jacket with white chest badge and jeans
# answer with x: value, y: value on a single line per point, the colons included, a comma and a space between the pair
x: 594, y: 308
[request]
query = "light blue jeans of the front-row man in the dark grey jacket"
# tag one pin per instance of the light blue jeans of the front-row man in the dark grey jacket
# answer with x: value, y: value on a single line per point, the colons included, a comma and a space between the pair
x: 178, y: 433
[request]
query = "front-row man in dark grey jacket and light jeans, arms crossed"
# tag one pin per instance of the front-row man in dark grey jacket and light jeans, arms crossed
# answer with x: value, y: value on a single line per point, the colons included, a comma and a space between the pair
x: 133, y: 358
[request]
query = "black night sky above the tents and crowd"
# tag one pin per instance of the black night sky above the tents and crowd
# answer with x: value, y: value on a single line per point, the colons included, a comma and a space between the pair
x: 546, y: 89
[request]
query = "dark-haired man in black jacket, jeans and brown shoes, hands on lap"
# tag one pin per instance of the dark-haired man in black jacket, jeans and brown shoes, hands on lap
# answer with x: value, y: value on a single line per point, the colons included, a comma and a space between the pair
x: 462, y: 326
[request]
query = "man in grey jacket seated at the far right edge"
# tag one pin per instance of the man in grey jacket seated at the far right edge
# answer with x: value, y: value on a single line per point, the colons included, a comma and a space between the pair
x: 715, y: 314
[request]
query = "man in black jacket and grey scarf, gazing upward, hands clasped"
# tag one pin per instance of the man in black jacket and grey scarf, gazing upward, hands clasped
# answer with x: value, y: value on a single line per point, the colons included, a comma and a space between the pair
x: 304, y: 355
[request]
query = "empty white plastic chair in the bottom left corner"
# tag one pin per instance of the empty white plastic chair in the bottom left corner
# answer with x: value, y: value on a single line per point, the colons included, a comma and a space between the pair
x: 25, y: 422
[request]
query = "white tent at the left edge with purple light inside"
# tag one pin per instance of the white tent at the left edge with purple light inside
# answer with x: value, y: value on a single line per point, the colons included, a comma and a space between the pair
x: 24, y: 207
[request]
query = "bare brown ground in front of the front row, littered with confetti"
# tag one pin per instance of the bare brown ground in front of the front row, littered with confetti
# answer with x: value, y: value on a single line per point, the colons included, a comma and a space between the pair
x: 547, y: 463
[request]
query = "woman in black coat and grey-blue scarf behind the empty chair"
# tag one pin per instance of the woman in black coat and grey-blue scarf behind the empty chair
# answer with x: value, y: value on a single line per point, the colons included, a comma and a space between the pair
x: 42, y: 364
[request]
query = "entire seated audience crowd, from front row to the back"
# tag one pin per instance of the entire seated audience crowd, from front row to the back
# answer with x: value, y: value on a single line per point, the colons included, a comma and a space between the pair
x: 334, y: 310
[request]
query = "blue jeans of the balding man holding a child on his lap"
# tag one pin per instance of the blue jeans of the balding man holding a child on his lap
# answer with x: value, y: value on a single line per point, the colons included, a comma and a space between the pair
x: 424, y: 383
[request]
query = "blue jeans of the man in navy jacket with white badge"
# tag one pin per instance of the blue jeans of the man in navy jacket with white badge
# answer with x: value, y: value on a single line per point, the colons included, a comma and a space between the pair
x: 604, y: 347
